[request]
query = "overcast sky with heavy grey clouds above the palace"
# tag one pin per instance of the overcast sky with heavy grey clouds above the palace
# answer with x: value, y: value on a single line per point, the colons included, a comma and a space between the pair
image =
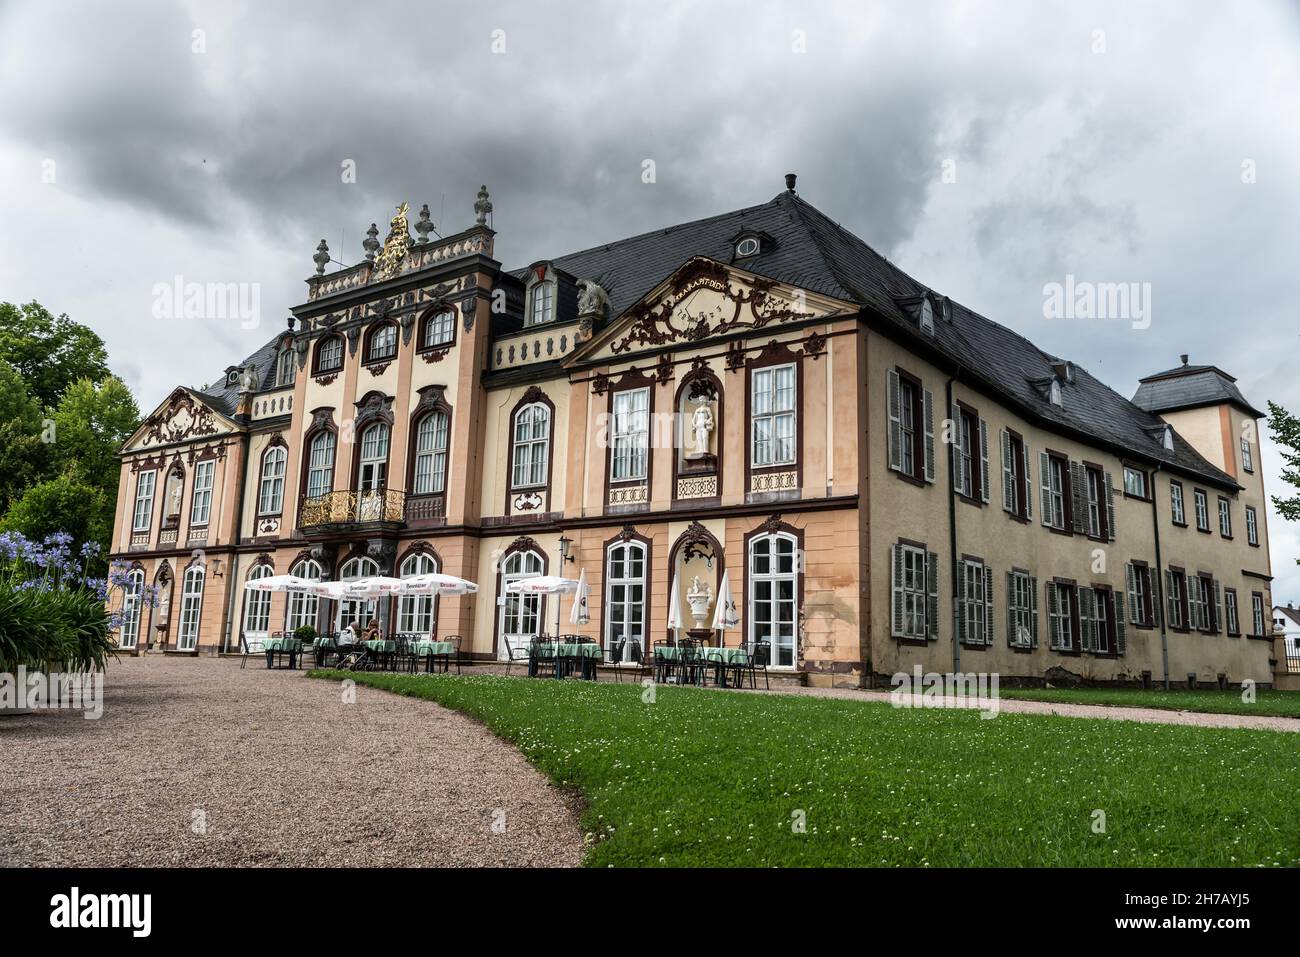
x: 989, y: 149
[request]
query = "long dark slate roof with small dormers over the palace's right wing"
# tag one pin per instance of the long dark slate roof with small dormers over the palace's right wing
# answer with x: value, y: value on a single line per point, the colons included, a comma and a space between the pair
x: 814, y: 253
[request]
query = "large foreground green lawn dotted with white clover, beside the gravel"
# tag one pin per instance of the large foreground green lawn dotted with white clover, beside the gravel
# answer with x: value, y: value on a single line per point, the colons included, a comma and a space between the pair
x: 721, y: 780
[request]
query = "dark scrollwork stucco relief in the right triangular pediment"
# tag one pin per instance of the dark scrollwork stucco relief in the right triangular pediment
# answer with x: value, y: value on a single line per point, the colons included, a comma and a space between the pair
x: 673, y: 319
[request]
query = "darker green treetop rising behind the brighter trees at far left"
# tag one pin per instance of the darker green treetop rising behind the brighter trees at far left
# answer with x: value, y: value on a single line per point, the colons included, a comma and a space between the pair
x: 49, y: 353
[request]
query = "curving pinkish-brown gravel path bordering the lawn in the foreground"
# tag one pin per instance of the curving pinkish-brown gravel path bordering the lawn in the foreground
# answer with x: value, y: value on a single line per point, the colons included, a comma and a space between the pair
x: 197, y: 763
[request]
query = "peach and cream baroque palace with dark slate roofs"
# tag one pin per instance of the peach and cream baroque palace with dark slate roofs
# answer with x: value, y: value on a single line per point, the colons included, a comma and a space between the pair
x: 890, y: 479
